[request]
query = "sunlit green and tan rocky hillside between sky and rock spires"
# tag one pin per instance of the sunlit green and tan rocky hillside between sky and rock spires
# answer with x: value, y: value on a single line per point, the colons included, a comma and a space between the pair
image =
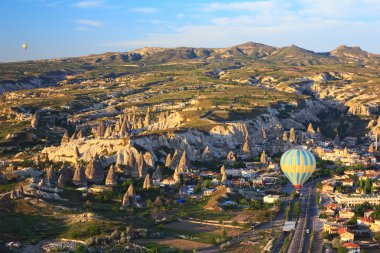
x: 194, y: 92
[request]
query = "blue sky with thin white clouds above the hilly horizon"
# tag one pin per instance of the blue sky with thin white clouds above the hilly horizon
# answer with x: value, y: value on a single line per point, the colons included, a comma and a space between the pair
x: 61, y: 28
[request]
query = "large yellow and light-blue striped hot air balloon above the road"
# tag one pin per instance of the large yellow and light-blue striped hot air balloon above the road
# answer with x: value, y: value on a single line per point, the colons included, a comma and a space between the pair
x: 297, y: 165
